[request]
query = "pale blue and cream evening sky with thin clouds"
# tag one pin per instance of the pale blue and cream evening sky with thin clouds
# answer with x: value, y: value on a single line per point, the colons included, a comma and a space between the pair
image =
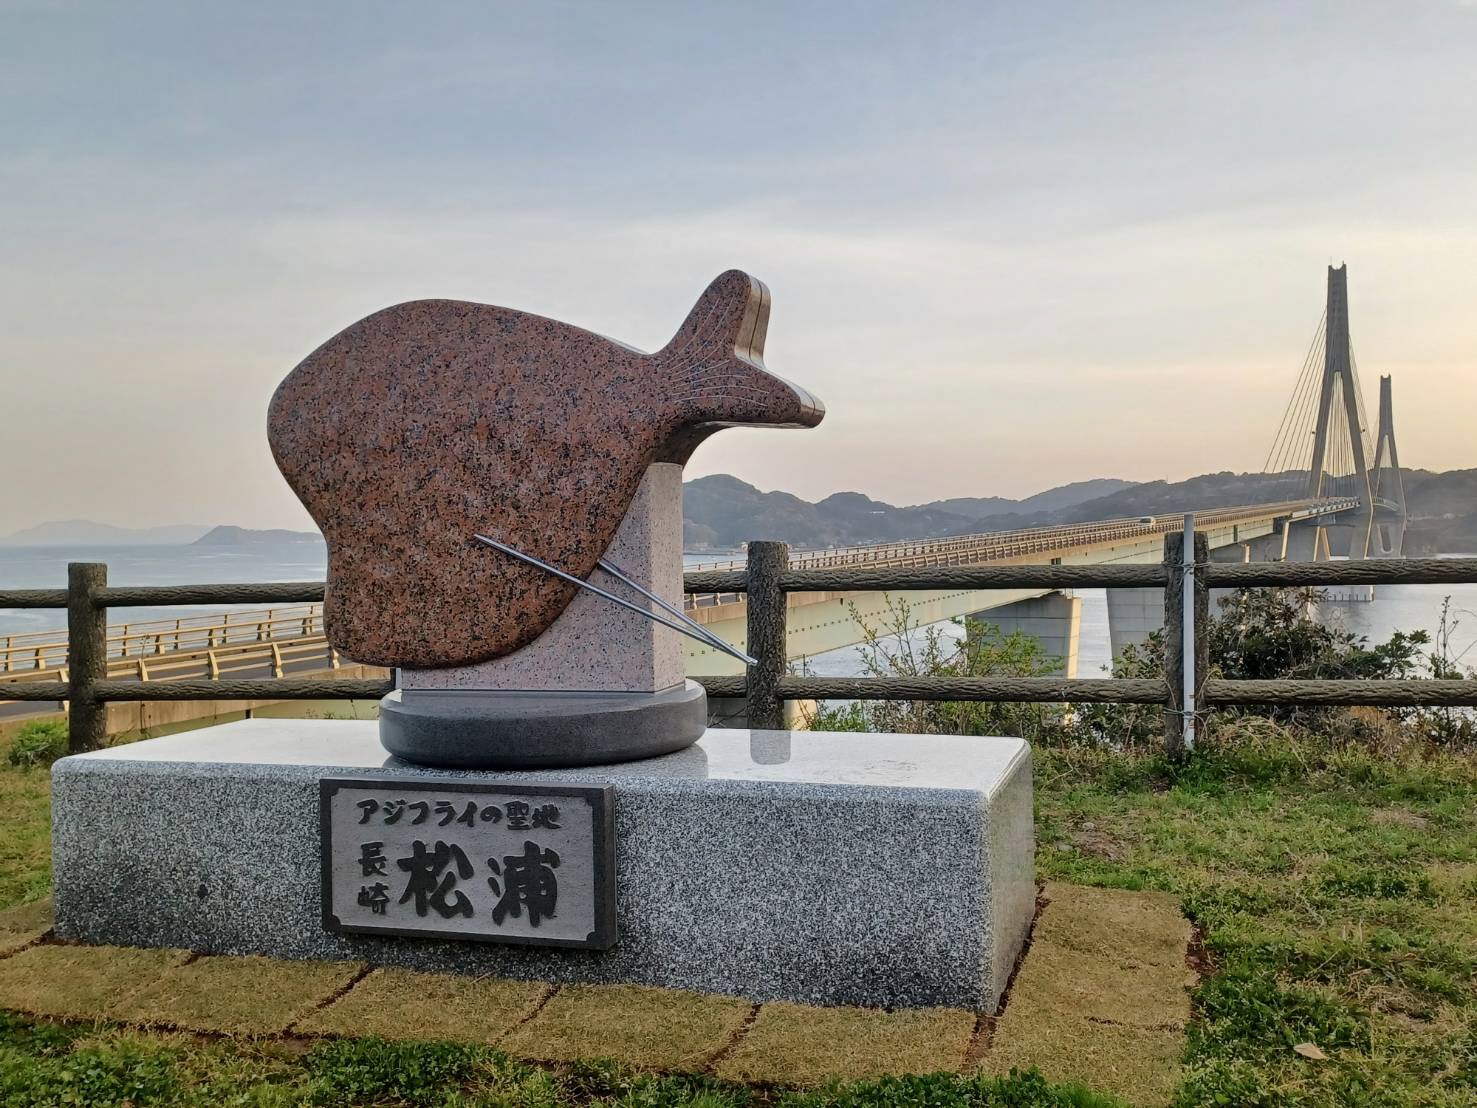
x: 1010, y: 246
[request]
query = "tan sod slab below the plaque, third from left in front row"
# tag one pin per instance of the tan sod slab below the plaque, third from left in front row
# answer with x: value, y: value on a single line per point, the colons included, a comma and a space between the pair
x: 402, y: 1004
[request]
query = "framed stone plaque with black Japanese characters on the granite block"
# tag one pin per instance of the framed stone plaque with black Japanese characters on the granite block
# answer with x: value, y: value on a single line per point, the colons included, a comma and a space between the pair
x: 507, y: 864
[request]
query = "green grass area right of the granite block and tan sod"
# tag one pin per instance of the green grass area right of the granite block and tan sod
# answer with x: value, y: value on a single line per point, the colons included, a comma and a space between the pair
x: 1337, y: 899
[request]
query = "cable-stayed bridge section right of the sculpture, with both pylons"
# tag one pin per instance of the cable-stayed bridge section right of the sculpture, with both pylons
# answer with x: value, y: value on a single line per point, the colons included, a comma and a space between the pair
x: 1339, y: 494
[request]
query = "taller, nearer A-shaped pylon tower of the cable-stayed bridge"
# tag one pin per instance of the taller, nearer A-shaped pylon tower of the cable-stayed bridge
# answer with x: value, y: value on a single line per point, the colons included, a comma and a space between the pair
x: 1340, y: 437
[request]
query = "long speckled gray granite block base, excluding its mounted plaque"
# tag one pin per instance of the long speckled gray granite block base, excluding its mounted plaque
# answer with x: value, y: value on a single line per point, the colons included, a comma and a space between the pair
x: 838, y: 869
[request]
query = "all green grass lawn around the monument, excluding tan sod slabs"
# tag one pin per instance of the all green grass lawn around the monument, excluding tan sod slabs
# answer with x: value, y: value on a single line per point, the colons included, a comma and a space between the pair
x: 1336, y: 895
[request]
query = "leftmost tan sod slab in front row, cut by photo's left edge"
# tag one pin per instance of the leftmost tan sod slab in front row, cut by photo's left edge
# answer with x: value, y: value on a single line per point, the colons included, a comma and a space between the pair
x: 79, y: 983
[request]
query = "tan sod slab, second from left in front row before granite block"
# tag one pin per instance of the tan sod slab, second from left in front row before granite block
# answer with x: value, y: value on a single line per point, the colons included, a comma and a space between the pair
x: 236, y: 995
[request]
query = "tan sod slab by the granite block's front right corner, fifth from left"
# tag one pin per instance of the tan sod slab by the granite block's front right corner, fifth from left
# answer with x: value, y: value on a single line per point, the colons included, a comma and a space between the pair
x: 803, y: 1047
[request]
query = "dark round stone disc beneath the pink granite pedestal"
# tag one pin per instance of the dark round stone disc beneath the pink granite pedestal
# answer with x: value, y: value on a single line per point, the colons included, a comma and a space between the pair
x: 488, y: 731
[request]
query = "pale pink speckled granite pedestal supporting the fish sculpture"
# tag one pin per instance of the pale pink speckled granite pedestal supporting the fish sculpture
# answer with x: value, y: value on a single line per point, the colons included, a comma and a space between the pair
x: 596, y: 646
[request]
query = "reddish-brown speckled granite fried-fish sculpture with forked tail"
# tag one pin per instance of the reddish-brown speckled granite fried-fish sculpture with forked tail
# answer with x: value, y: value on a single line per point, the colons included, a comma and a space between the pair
x: 433, y: 420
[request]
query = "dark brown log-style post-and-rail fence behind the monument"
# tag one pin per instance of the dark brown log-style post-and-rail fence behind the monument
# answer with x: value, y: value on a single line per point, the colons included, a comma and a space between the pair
x: 767, y: 580
